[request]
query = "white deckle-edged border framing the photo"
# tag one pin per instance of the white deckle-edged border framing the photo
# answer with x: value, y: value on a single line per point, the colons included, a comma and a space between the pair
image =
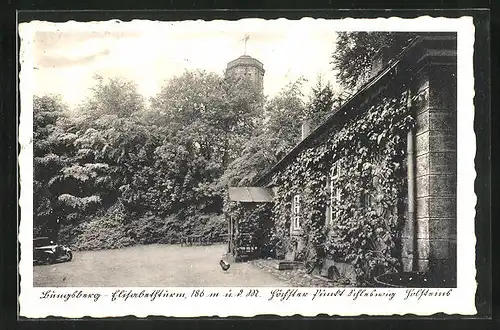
x: 460, y: 301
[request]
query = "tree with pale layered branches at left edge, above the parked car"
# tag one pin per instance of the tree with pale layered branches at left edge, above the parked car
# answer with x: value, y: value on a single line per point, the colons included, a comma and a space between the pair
x: 68, y: 178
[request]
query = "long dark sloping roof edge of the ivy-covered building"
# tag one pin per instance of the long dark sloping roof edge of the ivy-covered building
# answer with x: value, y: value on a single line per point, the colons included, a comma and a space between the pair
x: 348, y: 109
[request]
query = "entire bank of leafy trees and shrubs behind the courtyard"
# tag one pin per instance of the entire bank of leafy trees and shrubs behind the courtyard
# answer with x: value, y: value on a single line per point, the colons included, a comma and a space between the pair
x: 118, y: 171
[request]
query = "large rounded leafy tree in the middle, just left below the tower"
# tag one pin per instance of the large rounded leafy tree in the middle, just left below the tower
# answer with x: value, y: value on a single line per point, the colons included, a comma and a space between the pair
x: 197, y: 123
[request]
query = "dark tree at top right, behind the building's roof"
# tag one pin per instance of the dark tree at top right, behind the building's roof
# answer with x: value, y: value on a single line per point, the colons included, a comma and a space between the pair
x: 356, y: 51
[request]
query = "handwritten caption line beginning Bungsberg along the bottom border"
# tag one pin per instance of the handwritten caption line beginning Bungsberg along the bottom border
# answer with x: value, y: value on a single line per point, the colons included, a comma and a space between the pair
x: 123, y: 295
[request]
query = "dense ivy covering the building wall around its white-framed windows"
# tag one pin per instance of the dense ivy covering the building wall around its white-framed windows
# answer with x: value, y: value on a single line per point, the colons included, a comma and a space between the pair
x: 357, y: 217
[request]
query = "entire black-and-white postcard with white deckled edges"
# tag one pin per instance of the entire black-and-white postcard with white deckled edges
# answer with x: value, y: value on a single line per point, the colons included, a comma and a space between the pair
x: 239, y: 168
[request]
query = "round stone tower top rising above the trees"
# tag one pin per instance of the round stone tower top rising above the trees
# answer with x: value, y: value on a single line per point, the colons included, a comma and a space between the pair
x: 247, y: 67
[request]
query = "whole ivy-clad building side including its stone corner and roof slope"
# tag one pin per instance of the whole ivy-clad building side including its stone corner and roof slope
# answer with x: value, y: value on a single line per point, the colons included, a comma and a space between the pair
x: 367, y: 216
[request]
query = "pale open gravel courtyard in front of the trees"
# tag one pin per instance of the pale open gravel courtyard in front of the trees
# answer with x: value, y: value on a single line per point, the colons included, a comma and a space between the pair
x: 154, y: 266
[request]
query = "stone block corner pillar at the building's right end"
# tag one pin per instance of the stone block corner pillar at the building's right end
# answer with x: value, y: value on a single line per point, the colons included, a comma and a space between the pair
x: 436, y: 171
